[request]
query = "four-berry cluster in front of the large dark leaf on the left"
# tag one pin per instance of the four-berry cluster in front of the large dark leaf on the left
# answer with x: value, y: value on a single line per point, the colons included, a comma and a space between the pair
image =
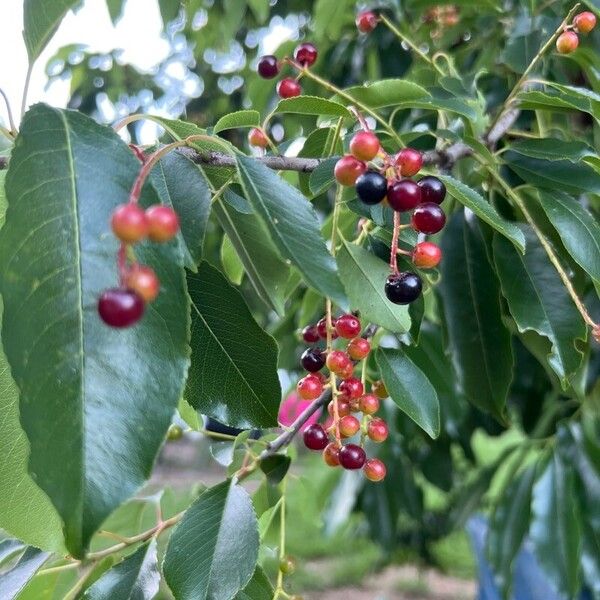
x: 124, y: 305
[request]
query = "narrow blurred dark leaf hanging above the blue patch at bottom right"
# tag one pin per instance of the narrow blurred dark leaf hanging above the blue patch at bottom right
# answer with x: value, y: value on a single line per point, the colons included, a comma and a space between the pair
x: 508, y: 525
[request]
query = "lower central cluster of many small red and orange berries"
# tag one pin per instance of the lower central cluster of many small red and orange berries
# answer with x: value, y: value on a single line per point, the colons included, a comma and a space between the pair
x: 348, y: 397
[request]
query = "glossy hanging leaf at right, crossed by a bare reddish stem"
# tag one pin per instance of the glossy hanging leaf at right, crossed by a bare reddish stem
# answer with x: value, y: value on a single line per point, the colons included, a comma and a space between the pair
x: 538, y: 301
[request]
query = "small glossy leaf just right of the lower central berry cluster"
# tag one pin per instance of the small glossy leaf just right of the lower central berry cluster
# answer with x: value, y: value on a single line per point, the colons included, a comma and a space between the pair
x: 410, y: 389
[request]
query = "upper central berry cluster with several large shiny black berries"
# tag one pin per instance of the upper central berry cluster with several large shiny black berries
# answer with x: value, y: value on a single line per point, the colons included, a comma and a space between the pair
x: 379, y: 177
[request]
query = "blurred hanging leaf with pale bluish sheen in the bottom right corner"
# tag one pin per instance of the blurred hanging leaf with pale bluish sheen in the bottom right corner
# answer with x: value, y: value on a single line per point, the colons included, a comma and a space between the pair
x: 556, y: 526
